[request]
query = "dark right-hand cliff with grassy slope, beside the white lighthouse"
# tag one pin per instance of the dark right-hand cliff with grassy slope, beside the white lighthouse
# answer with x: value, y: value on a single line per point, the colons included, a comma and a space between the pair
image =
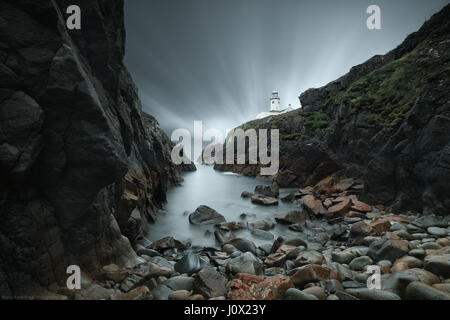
x: 387, y: 121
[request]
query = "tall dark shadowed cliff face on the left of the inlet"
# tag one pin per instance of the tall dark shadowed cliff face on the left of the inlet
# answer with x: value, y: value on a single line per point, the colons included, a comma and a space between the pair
x: 82, y: 168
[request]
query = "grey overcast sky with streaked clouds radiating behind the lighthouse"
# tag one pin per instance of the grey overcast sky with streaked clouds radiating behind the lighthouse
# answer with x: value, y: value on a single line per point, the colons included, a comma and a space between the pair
x: 218, y: 60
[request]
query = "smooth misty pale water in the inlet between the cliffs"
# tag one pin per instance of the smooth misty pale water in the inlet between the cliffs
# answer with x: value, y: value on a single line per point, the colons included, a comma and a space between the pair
x: 222, y: 192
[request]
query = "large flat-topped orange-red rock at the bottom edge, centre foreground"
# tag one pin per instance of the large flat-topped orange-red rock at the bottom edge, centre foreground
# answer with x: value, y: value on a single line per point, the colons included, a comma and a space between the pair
x: 250, y: 287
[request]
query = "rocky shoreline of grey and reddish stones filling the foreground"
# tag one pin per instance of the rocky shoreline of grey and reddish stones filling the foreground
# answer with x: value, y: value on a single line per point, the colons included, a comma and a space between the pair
x: 339, y: 238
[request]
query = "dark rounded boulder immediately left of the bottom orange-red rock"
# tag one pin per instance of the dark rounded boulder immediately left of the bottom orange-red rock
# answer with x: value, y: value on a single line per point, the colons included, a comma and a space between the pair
x: 210, y: 283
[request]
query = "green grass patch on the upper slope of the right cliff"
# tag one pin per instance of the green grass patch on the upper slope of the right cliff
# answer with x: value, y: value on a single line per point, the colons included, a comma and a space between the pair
x: 389, y: 93
